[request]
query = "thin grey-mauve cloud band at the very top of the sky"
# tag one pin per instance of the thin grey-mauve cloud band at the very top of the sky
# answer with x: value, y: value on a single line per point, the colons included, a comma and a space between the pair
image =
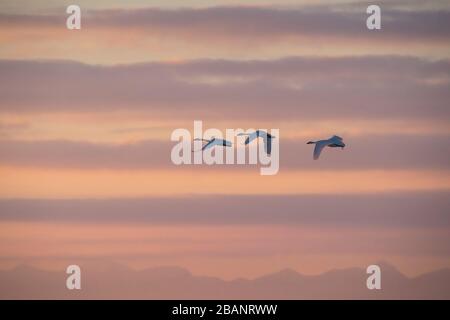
x: 260, y: 23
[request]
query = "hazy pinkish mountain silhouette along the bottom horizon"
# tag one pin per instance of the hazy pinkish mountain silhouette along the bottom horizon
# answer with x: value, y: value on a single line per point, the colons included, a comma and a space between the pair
x: 114, y: 281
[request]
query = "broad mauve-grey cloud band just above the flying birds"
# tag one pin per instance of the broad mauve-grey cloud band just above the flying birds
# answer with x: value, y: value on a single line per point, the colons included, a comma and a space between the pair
x: 366, y: 87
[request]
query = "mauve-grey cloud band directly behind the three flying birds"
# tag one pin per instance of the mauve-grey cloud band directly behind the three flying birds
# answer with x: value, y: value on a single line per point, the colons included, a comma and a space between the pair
x: 364, y: 152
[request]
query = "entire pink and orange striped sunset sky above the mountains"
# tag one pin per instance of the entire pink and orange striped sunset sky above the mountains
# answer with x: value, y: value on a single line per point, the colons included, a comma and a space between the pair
x: 86, y: 117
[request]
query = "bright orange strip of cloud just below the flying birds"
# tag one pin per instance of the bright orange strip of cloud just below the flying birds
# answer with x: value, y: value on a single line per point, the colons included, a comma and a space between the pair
x: 60, y: 183
